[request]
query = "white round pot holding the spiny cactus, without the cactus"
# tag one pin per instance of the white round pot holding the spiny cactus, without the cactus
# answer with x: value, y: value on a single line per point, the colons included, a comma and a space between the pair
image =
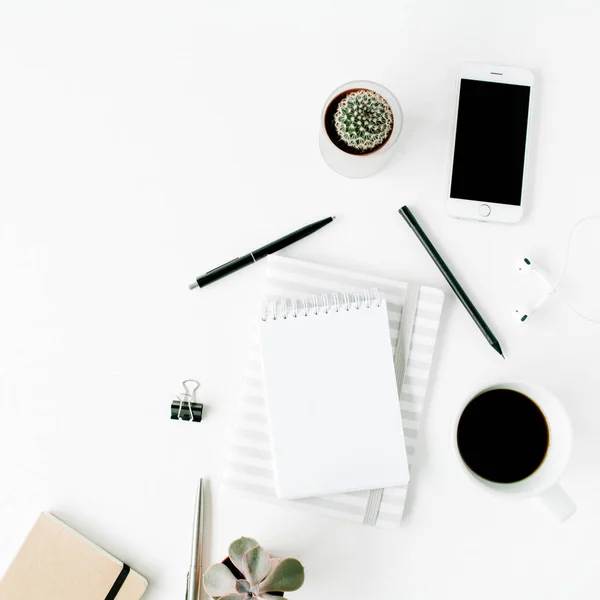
x: 360, y: 165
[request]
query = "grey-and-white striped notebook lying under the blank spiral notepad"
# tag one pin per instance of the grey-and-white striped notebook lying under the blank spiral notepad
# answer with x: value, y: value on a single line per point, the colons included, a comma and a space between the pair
x: 414, y: 313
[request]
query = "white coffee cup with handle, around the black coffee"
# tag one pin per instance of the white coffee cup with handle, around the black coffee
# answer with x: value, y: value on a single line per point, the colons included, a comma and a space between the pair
x: 542, y: 484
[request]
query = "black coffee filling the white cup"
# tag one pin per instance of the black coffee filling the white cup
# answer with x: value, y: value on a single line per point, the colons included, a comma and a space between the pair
x: 503, y: 436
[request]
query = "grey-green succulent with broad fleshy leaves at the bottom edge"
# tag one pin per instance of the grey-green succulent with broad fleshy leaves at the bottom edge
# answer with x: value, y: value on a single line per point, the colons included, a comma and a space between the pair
x: 262, y: 574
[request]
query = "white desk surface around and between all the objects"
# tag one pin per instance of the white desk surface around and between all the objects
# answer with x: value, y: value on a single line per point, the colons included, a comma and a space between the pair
x: 121, y: 181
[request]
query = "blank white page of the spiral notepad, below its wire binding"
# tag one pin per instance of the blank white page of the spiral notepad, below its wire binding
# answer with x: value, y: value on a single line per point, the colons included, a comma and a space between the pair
x: 333, y: 401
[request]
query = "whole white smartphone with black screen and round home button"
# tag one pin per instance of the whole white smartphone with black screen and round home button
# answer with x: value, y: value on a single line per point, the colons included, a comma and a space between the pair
x: 488, y: 157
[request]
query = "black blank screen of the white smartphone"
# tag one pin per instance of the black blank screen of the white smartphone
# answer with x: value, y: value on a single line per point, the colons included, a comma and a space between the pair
x: 489, y: 151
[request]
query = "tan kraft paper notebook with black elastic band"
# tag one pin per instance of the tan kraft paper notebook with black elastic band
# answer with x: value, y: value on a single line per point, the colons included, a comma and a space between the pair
x: 57, y: 563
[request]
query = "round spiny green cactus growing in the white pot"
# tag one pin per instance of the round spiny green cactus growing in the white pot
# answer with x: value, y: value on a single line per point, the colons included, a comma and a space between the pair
x: 363, y: 120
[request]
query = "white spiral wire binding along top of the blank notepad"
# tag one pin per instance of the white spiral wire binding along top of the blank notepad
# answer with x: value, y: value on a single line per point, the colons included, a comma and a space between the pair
x: 316, y: 305
